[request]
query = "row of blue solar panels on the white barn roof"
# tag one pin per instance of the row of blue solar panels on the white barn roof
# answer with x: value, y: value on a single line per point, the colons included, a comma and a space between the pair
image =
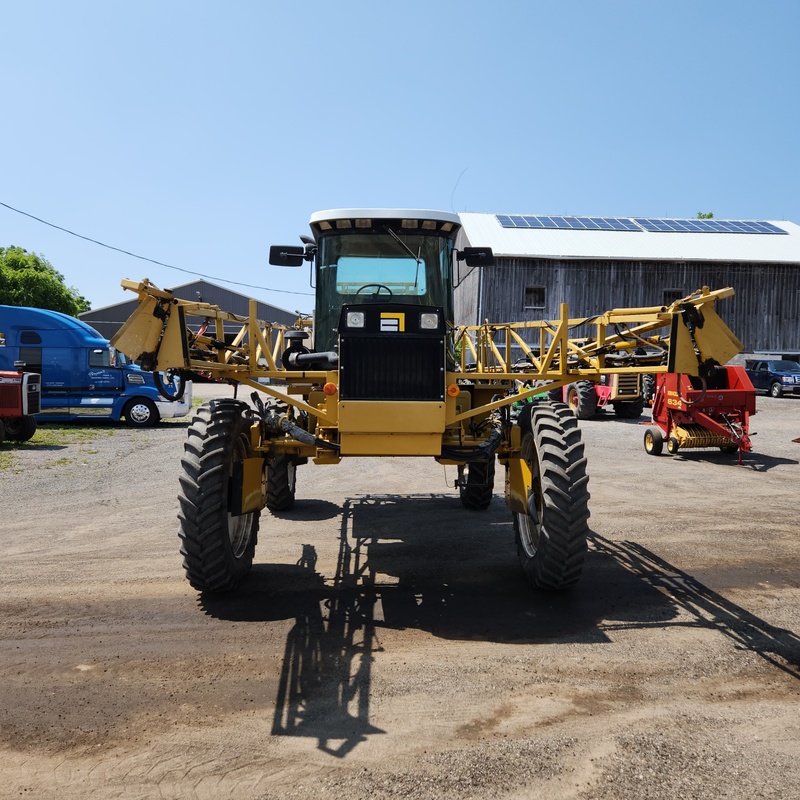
x: 638, y: 224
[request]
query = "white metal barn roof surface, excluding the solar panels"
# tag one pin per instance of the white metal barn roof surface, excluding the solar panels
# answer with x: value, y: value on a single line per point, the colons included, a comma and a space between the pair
x: 484, y: 230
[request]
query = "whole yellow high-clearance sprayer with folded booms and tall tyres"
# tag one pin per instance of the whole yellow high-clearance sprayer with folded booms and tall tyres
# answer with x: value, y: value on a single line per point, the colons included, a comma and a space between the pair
x: 382, y: 370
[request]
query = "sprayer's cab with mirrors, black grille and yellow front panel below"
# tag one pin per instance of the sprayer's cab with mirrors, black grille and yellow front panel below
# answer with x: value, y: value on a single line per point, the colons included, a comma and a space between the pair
x: 384, y: 319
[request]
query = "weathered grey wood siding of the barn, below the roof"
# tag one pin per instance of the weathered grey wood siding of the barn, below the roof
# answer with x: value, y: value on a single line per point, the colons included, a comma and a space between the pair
x: 764, y: 314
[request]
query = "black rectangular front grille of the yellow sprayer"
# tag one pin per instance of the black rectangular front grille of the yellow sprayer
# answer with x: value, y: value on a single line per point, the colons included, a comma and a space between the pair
x: 391, y: 367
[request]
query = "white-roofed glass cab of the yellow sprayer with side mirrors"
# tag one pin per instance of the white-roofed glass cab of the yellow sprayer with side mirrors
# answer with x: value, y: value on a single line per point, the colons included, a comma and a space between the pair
x: 402, y: 259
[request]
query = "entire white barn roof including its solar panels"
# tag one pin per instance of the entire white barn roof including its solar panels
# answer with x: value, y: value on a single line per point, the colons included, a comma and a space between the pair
x: 636, y: 242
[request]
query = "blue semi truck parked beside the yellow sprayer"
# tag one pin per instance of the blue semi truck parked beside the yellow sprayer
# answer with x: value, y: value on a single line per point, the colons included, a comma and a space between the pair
x: 83, y: 377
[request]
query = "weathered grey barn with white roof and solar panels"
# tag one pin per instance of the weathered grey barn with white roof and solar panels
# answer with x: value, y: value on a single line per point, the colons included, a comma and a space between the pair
x: 598, y: 263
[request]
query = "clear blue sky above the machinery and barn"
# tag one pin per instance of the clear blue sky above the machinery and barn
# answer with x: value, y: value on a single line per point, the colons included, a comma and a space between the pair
x: 199, y: 133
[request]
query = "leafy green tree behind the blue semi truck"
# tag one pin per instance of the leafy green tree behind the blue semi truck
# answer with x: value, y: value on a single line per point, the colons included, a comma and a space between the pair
x: 28, y: 279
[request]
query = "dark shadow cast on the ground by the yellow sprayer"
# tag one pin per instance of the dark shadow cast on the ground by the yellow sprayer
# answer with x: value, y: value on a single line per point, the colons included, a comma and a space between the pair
x: 422, y: 562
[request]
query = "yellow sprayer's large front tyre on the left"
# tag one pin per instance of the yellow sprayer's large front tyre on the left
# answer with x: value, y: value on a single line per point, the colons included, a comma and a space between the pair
x: 217, y: 548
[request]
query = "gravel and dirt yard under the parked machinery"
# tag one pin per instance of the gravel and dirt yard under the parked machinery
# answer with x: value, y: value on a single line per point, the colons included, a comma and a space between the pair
x: 386, y: 645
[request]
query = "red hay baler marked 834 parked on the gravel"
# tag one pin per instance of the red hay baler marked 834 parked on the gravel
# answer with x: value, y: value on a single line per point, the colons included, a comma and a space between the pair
x: 692, y: 412
